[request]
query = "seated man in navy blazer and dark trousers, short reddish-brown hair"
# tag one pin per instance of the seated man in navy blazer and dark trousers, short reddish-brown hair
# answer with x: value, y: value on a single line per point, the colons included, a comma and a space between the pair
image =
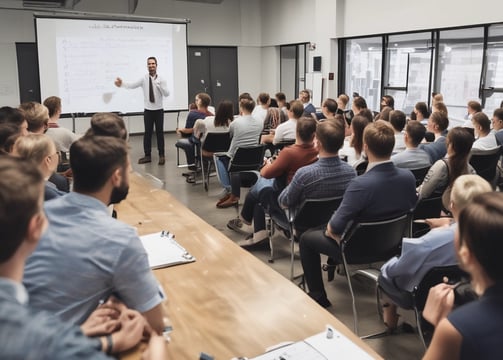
x: 383, y: 192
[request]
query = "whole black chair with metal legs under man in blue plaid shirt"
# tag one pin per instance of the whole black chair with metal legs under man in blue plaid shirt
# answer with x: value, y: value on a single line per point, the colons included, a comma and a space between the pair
x: 312, y: 213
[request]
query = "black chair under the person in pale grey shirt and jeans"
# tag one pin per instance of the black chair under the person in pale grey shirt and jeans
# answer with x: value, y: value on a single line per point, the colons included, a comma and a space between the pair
x: 247, y: 161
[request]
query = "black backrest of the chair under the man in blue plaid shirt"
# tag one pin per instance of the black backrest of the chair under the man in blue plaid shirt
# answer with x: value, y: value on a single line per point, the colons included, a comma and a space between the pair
x: 314, y: 213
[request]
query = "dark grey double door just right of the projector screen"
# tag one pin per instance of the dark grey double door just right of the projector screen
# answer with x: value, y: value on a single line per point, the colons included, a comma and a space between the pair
x: 214, y: 70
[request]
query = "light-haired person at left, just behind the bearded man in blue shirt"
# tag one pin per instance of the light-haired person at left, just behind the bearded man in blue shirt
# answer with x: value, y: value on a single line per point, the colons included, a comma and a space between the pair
x: 41, y: 151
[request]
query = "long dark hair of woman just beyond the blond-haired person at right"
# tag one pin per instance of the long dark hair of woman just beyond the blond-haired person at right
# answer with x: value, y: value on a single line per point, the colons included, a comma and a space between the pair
x: 461, y: 141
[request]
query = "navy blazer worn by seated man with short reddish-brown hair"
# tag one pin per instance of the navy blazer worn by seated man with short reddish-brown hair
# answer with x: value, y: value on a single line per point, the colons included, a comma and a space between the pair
x: 382, y: 193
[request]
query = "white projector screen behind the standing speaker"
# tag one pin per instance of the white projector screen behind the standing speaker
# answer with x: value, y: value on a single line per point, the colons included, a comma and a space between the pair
x: 79, y: 60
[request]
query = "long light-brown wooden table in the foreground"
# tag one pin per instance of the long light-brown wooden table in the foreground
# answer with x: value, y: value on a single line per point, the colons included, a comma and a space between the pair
x: 227, y: 303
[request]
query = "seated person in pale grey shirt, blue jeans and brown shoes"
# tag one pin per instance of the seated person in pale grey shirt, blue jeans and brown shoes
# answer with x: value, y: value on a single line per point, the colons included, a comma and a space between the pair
x: 245, y: 131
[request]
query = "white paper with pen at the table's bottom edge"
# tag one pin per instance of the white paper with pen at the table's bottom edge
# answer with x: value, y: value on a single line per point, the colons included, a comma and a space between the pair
x: 318, y: 347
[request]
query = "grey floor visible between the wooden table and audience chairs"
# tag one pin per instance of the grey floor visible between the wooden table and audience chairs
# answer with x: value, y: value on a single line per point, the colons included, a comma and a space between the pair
x: 400, y: 346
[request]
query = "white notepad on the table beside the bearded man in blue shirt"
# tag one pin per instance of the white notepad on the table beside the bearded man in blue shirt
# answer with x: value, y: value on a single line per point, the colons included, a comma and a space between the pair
x: 163, y: 250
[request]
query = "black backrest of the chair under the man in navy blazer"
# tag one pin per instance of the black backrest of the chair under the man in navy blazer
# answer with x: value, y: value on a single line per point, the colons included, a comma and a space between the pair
x: 368, y: 242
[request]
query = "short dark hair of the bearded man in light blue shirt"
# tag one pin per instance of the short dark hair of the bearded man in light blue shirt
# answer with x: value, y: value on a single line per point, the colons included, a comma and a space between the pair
x: 93, y: 160
